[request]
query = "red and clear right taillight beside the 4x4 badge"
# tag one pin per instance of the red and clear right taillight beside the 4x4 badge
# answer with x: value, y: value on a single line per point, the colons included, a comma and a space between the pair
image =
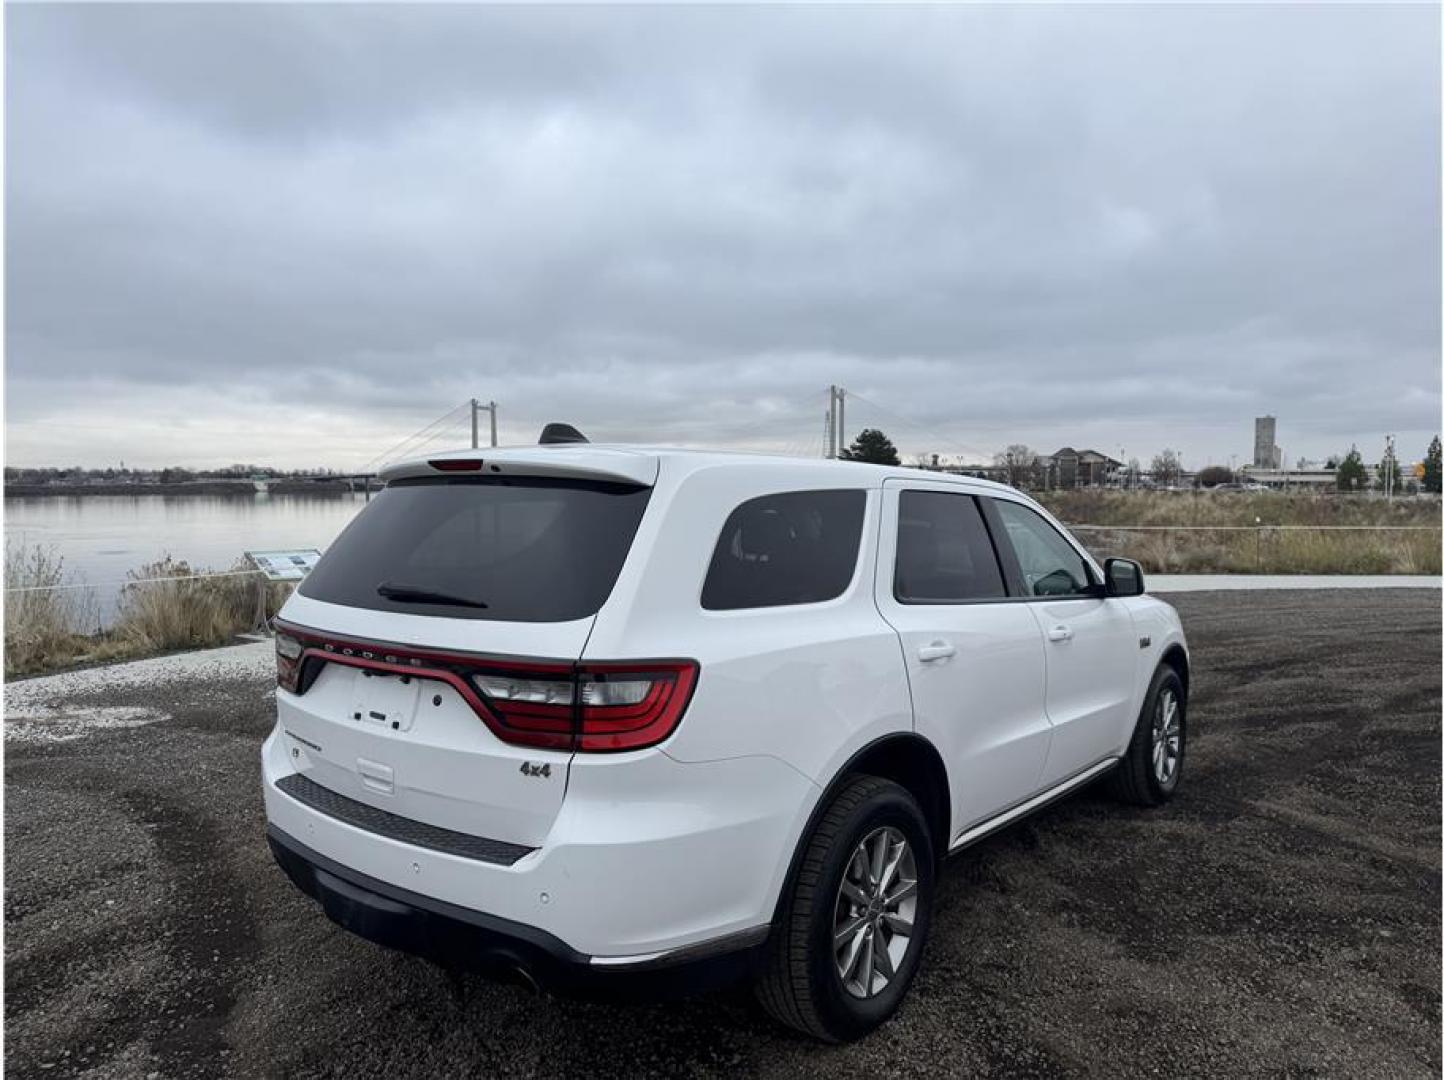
x: 596, y: 708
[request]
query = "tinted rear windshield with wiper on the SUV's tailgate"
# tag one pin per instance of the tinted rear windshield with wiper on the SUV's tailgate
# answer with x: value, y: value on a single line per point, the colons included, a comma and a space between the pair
x: 506, y: 549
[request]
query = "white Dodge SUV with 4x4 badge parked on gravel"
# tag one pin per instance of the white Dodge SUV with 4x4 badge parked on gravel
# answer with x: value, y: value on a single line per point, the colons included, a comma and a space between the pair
x: 607, y: 717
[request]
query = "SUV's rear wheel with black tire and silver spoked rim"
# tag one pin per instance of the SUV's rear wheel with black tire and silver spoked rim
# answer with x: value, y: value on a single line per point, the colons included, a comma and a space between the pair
x: 838, y: 959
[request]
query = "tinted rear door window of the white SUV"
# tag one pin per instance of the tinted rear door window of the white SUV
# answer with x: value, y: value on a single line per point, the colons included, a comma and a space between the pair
x: 945, y: 555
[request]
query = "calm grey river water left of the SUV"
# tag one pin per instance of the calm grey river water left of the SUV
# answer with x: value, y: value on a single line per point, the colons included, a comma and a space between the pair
x: 102, y: 538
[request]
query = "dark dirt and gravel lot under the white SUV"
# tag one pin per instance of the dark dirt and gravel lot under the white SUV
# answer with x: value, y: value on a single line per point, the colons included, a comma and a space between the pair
x: 1280, y: 918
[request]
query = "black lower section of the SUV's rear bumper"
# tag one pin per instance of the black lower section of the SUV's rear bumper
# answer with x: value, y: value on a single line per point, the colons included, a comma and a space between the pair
x: 500, y: 948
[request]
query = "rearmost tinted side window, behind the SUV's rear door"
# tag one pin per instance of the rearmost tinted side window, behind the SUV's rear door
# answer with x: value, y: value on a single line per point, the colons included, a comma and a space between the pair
x: 798, y: 548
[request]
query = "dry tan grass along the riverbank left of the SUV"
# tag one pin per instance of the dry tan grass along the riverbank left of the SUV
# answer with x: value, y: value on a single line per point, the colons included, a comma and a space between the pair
x: 50, y: 630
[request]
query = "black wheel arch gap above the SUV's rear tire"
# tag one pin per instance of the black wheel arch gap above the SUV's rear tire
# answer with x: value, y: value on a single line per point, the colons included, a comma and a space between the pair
x: 908, y: 760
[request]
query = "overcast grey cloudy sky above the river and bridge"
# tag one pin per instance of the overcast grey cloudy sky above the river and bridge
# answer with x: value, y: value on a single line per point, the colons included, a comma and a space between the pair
x: 297, y: 235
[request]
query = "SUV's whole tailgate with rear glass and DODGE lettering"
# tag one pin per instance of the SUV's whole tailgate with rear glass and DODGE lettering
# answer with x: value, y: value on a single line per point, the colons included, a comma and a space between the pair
x: 434, y: 648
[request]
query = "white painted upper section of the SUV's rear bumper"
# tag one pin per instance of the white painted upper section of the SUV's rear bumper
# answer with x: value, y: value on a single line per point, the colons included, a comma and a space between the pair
x: 646, y: 858
